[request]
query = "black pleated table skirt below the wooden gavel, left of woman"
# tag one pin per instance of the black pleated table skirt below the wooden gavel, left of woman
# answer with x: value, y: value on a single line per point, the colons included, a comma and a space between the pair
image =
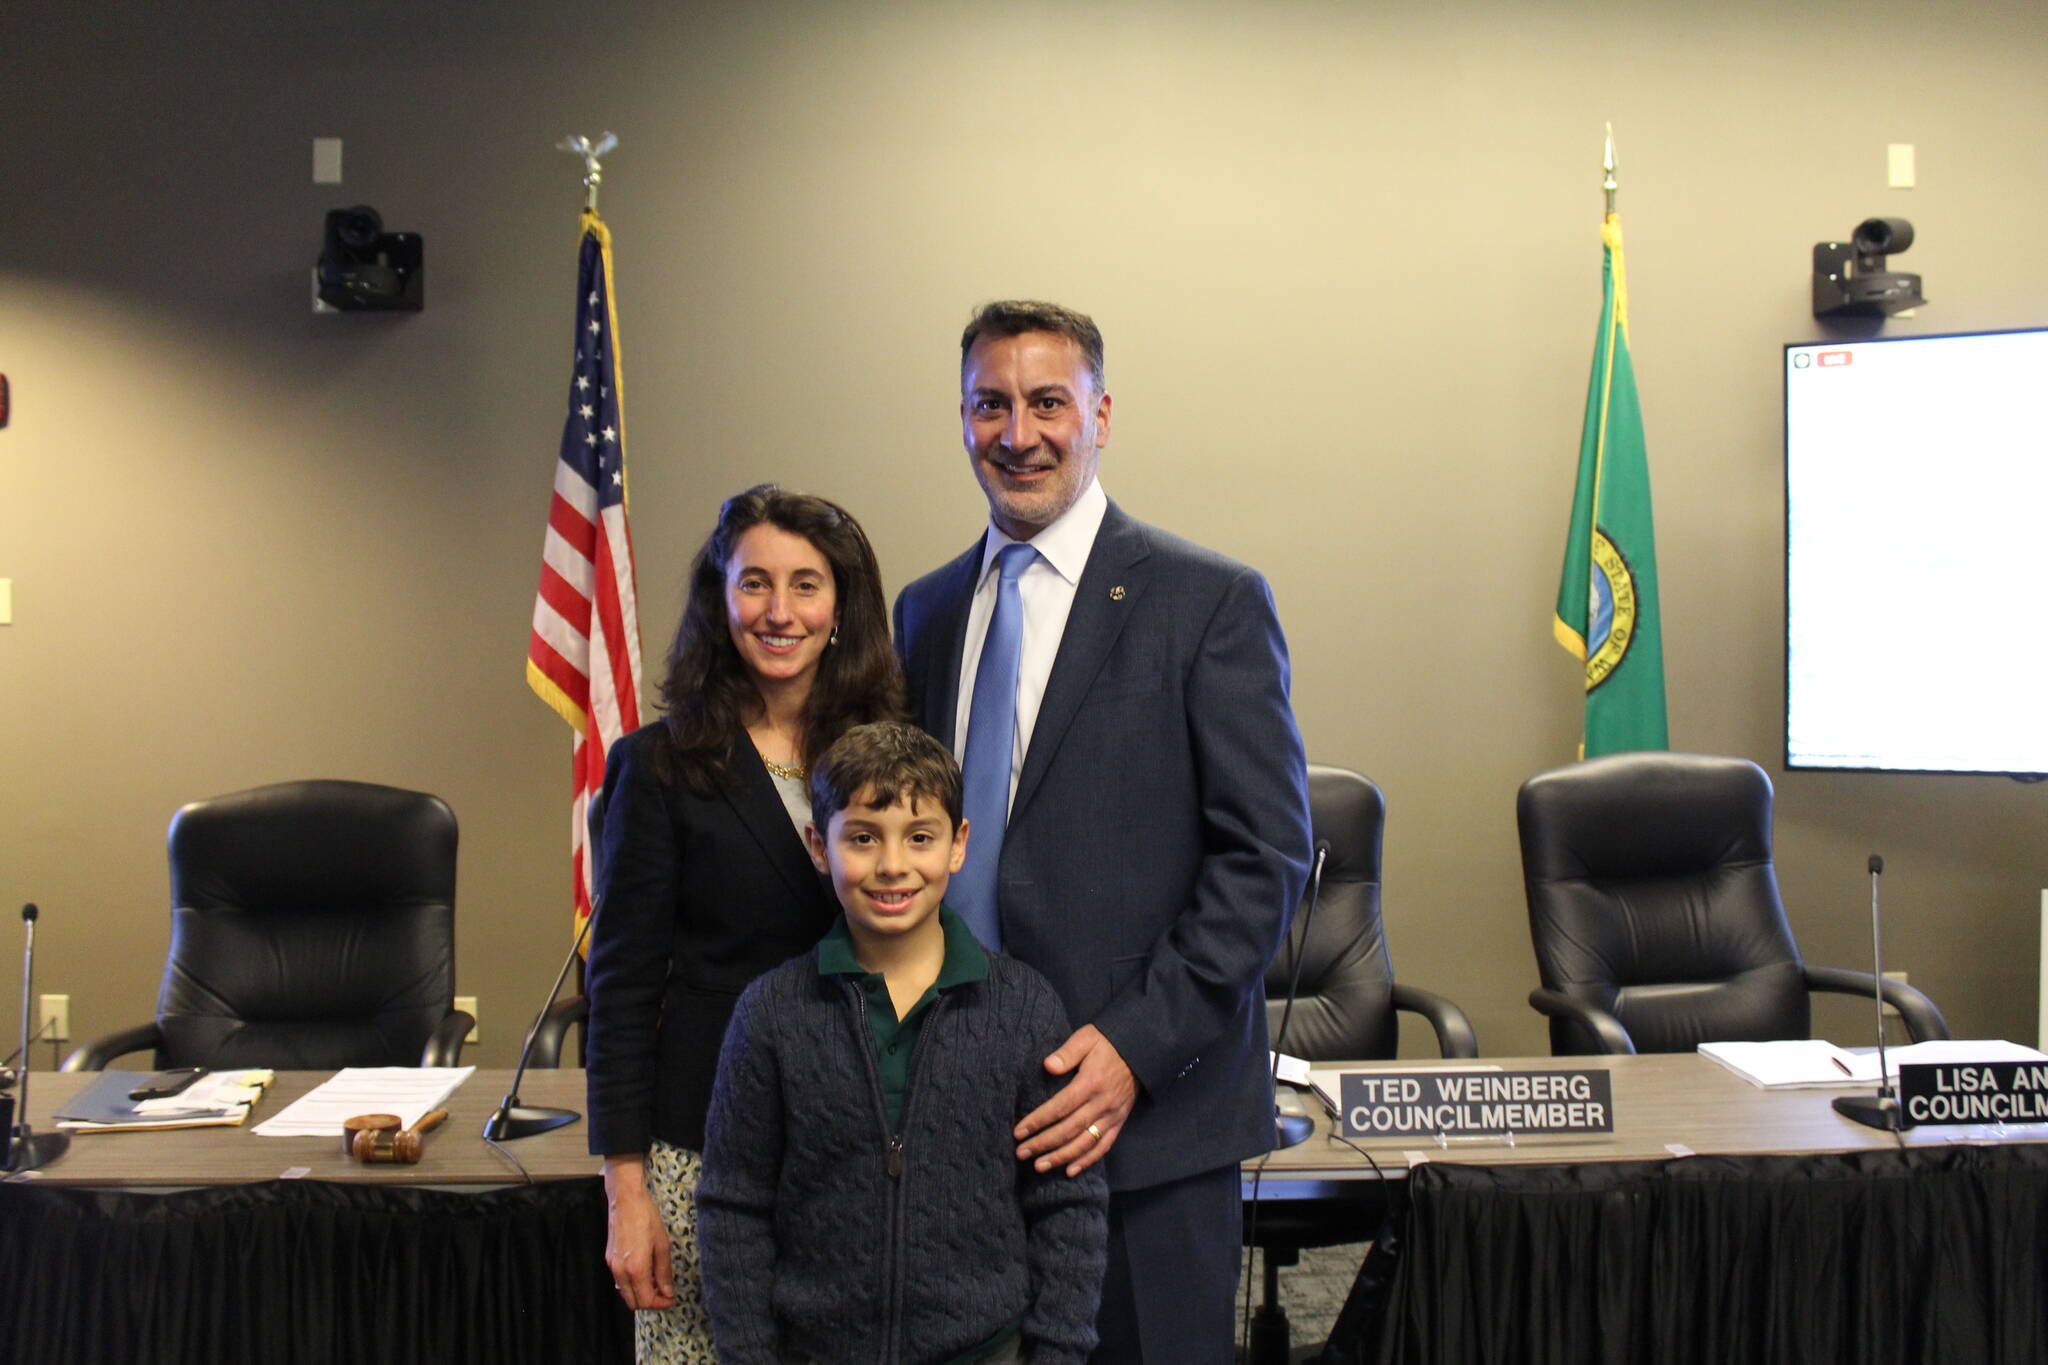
x: 308, y: 1272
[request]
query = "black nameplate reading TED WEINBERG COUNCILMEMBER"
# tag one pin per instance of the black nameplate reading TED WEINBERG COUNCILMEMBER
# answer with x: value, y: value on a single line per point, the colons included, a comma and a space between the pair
x: 1476, y: 1104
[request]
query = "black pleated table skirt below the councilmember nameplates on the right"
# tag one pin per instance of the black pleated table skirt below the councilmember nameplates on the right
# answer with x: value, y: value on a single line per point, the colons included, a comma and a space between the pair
x: 1926, y: 1256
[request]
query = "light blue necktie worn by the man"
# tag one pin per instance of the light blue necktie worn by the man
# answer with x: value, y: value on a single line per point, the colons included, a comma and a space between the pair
x: 990, y: 748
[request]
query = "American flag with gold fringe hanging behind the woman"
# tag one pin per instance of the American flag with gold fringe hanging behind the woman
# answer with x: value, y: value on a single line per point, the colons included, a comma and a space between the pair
x: 585, y: 652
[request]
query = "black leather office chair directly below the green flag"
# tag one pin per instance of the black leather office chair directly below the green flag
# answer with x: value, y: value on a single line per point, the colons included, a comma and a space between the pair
x: 1656, y: 914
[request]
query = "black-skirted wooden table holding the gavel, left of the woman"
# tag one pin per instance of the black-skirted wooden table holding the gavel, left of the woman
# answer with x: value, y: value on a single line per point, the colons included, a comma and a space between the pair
x: 218, y: 1245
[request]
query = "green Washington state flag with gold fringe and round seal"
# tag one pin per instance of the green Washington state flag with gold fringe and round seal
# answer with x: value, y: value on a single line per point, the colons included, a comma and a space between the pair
x: 1607, y: 601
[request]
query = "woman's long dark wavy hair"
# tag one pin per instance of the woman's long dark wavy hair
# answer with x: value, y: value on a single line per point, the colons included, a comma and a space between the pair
x: 710, y: 695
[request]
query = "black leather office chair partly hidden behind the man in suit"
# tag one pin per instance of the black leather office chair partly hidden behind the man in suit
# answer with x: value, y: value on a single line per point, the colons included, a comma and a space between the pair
x: 1345, y: 1010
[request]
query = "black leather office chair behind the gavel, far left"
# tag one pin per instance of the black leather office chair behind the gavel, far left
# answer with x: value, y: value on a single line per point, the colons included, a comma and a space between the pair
x: 312, y: 928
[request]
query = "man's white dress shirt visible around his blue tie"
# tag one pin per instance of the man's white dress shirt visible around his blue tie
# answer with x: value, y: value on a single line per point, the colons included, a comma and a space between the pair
x: 1048, y: 597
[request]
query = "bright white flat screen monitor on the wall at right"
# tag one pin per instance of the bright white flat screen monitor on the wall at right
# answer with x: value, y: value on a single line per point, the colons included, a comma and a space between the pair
x: 1918, y: 554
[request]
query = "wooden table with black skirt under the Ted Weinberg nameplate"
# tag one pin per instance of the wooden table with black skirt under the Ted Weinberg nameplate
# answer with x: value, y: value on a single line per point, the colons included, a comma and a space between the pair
x: 1719, y: 1223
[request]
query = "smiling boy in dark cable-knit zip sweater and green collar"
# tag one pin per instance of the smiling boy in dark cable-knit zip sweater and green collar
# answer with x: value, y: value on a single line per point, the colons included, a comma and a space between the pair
x: 861, y: 1198
